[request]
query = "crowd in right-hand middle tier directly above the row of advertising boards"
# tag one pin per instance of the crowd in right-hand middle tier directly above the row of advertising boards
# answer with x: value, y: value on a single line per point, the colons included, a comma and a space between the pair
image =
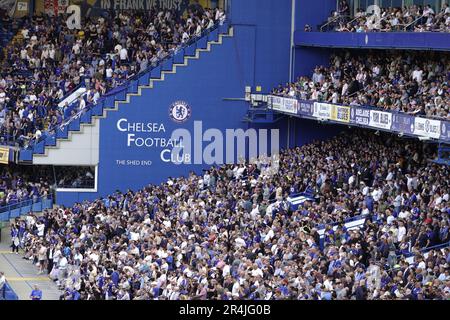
x: 412, y: 82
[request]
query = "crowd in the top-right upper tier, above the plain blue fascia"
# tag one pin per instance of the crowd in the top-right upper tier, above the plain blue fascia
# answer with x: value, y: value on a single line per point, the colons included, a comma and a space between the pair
x: 413, y: 18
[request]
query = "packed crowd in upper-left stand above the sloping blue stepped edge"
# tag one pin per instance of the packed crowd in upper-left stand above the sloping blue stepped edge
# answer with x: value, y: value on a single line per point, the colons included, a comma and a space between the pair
x: 46, y: 61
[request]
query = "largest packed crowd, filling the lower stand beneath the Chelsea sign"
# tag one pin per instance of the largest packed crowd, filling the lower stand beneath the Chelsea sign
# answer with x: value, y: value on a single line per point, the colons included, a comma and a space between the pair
x: 231, y: 234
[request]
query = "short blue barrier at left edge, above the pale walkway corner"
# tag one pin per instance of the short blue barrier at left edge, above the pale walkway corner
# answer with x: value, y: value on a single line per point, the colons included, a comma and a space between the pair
x: 15, y: 210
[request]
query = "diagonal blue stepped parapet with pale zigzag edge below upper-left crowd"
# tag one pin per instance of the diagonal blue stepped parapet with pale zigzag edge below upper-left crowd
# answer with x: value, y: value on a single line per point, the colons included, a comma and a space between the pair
x: 145, y: 82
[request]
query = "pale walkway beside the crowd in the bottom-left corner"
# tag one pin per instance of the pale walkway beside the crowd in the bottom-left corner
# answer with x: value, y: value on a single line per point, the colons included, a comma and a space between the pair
x: 21, y: 274
